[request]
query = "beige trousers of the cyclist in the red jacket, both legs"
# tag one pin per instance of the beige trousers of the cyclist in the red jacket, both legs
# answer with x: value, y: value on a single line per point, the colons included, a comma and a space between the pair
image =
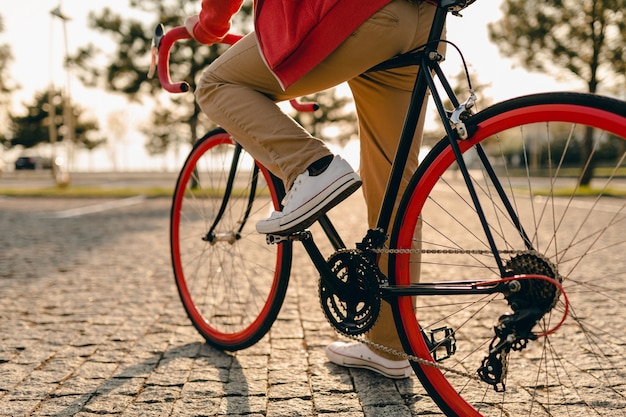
x: 239, y: 93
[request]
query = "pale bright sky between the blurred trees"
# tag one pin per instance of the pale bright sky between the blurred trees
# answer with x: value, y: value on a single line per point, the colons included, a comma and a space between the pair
x: 37, y: 43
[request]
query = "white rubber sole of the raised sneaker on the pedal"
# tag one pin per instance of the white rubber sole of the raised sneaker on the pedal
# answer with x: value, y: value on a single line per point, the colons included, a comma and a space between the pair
x: 351, y: 184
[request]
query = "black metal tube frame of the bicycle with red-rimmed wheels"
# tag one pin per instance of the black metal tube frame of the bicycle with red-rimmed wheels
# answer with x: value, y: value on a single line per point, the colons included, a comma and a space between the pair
x: 427, y: 58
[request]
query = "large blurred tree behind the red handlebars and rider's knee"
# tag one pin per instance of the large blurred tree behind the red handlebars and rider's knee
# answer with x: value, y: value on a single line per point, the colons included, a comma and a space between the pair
x: 126, y: 70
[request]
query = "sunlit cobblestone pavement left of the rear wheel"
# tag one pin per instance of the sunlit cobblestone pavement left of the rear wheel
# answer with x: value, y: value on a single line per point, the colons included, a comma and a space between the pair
x: 91, y: 324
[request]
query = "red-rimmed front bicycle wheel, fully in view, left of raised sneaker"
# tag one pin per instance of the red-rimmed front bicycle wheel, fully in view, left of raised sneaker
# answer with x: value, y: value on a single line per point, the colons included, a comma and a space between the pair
x: 231, y: 283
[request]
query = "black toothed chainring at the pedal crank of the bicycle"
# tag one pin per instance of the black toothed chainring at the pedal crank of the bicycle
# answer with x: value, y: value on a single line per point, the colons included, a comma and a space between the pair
x: 350, y: 297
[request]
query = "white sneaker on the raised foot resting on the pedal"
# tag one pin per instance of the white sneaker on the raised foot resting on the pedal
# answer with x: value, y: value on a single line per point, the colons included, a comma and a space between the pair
x: 311, y: 197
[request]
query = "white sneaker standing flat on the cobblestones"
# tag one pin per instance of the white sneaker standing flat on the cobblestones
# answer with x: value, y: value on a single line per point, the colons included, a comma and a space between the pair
x: 358, y: 355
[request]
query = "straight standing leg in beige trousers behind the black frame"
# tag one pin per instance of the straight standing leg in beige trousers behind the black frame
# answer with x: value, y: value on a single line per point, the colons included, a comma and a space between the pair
x: 382, y: 100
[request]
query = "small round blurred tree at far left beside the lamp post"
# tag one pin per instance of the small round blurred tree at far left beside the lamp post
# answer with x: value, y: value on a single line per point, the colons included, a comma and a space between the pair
x: 32, y: 129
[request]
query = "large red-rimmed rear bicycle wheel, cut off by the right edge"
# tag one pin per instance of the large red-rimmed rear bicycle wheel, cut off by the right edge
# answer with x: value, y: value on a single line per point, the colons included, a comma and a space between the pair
x: 574, y: 229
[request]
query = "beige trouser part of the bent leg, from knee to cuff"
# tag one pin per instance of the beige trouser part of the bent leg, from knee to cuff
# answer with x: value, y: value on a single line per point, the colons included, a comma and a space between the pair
x: 238, y: 92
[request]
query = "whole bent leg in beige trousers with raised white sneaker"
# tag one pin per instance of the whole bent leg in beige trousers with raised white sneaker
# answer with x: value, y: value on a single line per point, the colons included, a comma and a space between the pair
x: 238, y: 92
